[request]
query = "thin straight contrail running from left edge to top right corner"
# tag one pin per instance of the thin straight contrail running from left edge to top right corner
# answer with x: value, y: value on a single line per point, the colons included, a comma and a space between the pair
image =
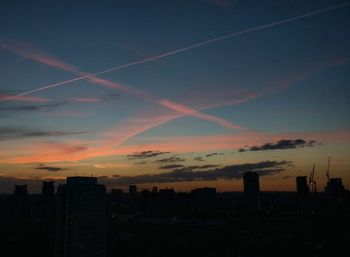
x: 183, y: 49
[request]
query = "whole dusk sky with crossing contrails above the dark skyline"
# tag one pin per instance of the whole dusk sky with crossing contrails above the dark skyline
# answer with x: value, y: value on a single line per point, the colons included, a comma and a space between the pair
x: 174, y: 94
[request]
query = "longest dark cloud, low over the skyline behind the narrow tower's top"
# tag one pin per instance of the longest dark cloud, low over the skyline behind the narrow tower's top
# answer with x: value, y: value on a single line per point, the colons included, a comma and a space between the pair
x: 181, y: 173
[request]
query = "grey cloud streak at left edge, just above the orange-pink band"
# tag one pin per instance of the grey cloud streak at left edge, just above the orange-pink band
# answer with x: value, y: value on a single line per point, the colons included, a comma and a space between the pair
x: 8, y: 133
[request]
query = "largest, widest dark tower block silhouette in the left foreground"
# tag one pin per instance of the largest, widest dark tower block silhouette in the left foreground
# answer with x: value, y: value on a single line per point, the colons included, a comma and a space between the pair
x: 81, y: 218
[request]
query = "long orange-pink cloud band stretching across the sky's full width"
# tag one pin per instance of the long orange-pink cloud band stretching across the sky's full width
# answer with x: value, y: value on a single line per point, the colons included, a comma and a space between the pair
x: 80, y: 150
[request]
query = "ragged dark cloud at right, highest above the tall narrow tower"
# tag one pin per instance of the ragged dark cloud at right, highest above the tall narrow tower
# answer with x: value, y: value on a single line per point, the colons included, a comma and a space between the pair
x: 281, y: 145
